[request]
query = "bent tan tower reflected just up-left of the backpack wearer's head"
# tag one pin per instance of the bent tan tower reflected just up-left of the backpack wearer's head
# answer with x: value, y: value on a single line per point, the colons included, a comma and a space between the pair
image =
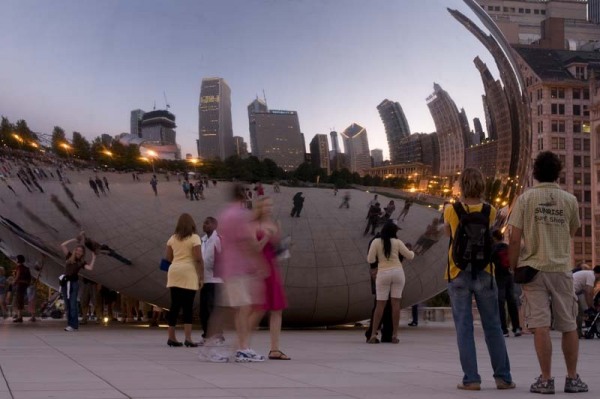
x: 450, y: 131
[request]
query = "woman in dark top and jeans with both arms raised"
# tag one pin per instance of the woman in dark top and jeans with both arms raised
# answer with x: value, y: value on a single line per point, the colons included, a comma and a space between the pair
x: 70, y: 280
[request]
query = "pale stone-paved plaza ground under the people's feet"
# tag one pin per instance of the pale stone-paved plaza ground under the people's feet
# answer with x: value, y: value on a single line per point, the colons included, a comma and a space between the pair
x: 40, y: 360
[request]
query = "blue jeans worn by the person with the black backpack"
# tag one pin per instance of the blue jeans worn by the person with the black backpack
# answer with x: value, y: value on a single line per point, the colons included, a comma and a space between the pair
x: 461, y: 291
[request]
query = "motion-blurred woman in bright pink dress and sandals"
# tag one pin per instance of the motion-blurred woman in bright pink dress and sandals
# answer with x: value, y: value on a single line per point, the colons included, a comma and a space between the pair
x: 268, y: 236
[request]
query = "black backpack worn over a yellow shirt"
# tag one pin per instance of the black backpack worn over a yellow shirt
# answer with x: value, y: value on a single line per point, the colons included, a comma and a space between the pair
x: 472, y: 241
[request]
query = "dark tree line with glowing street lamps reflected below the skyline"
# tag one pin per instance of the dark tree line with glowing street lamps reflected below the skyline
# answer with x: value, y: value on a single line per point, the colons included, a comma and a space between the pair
x: 113, y: 154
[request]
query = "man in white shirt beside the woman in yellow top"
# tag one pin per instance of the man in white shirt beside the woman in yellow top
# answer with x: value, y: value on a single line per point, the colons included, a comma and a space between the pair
x: 211, y: 245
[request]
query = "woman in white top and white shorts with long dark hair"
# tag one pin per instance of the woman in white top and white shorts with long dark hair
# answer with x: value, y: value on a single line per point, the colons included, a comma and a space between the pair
x: 390, y: 276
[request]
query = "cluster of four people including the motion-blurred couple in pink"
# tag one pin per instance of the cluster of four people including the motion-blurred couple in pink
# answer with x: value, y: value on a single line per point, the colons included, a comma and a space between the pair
x: 236, y: 272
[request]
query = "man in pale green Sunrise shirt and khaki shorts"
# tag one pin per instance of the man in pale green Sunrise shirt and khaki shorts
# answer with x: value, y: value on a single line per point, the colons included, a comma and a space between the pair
x: 546, y: 217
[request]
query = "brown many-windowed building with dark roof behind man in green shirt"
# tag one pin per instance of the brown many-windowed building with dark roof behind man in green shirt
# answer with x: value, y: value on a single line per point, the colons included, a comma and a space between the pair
x: 558, y: 85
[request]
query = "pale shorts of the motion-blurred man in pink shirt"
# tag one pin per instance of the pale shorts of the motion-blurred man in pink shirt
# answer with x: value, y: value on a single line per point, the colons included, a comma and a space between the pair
x: 241, y: 291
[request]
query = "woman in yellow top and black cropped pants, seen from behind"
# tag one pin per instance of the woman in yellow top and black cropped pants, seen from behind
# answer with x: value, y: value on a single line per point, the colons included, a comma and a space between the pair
x: 185, y: 276
